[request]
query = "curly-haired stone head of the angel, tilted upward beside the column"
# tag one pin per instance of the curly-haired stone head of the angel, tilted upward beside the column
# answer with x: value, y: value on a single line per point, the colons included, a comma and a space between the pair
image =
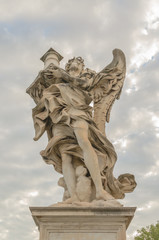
x: 75, y: 65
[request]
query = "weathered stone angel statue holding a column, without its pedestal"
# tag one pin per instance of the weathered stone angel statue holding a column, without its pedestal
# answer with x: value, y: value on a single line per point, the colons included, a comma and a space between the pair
x: 77, y: 144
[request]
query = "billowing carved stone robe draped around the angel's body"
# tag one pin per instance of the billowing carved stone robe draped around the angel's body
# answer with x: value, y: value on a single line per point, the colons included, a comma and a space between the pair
x: 61, y: 105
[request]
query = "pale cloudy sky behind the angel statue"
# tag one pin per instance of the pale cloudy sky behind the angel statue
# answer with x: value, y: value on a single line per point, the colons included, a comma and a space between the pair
x: 91, y: 29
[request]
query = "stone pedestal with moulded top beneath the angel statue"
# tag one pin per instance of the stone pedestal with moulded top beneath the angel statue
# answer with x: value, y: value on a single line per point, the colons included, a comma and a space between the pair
x: 82, y: 223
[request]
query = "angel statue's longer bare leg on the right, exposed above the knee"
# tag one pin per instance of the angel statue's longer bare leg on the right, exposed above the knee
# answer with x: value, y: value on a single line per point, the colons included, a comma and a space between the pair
x: 90, y: 158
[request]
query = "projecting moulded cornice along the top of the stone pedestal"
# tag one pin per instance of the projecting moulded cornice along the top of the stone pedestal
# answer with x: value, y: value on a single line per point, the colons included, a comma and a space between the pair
x: 41, y: 214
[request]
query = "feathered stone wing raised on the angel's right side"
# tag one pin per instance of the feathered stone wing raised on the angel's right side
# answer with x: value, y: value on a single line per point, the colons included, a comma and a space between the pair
x: 107, y: 88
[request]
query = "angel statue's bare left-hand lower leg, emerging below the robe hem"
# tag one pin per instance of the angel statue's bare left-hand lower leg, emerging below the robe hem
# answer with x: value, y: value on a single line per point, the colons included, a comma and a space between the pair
x: 69, y: 176
